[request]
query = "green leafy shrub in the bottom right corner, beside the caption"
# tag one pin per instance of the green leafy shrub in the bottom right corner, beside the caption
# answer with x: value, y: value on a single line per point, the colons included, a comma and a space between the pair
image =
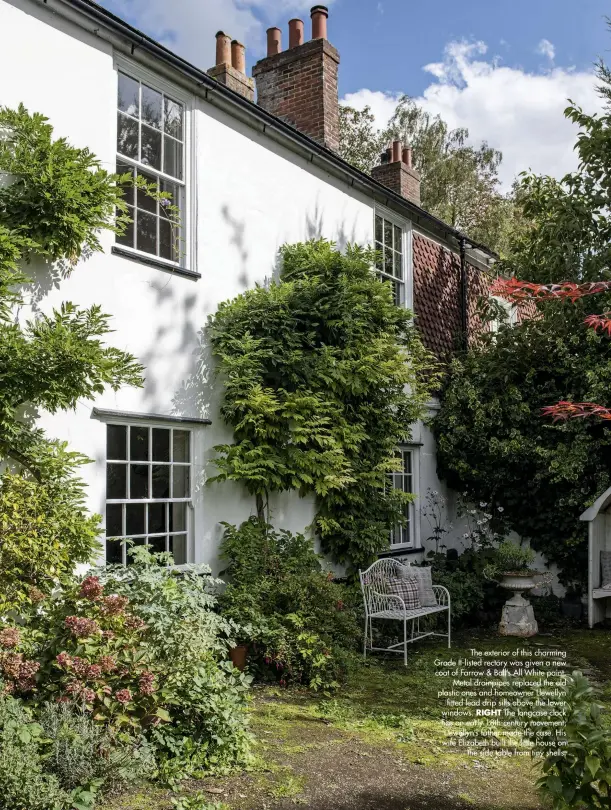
x: 581, y: 775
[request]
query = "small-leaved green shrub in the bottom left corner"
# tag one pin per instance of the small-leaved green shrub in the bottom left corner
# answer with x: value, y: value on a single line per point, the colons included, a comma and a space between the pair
x: 24, y: 784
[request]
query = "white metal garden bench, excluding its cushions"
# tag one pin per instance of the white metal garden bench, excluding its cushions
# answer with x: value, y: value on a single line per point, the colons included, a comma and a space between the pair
x: 380, y: 604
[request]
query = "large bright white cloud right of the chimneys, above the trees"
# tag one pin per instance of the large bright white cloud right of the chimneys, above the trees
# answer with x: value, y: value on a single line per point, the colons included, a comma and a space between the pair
x: 516, y: 111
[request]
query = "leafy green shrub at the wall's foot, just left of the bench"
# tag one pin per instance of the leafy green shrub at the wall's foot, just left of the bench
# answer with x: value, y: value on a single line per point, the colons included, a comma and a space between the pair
x: 302, y: 622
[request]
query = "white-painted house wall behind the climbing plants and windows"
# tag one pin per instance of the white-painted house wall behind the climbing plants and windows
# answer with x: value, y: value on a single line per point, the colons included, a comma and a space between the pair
x: 247, y: 195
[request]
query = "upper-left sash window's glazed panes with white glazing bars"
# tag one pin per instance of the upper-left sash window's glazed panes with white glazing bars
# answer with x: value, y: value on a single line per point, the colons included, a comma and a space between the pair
x: 151, y: 144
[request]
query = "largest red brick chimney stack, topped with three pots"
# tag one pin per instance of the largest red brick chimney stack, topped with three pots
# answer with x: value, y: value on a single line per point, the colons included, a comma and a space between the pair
x: 300, y: 84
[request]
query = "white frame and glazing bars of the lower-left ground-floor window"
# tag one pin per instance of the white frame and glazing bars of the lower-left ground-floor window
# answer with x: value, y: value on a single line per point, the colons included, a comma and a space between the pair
x: 189, y: 512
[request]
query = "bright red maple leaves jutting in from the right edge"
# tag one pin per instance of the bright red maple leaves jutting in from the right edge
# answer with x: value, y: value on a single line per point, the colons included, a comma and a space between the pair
x: 516, y: 292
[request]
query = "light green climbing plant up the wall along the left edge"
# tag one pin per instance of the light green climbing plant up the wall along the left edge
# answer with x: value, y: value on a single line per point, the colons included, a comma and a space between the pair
x: 54, y: 201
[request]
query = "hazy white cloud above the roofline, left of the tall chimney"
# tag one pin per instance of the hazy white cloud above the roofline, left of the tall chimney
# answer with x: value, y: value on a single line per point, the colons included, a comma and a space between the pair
x: 188, y: 26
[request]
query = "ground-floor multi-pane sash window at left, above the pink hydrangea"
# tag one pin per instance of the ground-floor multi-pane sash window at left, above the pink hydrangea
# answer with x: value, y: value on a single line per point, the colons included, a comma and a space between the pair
x: 148, y: 489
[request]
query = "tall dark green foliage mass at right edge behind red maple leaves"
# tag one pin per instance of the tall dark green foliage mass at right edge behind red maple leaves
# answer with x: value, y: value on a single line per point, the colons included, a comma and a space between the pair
x: 494, y: 442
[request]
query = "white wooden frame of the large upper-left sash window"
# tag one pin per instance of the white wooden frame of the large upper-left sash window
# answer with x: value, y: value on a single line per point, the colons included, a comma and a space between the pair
x: 187, y: 244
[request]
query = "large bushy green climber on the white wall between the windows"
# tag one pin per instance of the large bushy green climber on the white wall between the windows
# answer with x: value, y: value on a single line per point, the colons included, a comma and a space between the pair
x: 322, y: 376
